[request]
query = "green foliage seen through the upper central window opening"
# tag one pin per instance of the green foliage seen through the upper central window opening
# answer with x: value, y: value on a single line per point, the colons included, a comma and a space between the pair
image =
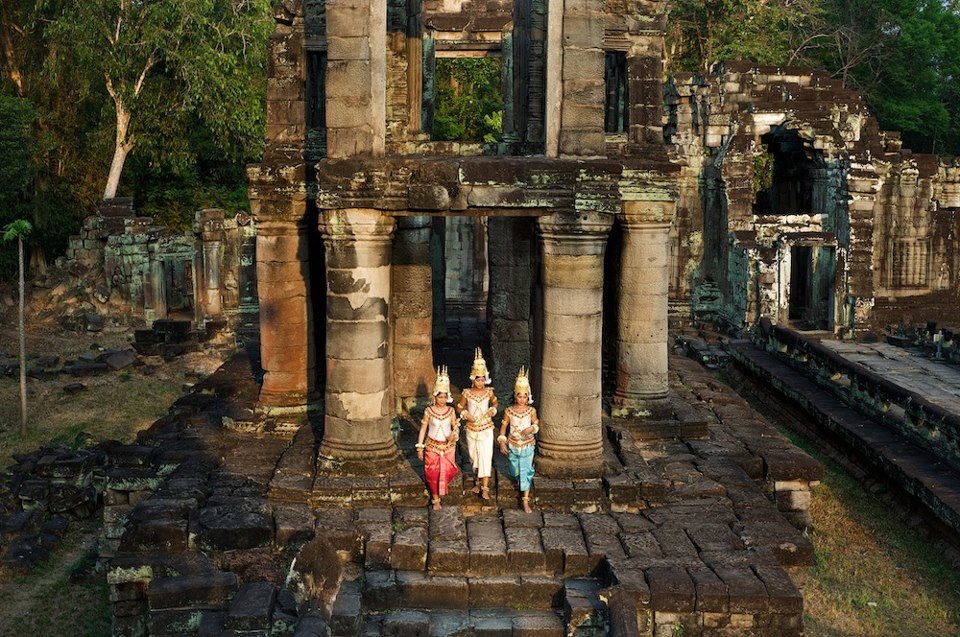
x: 468, y: 103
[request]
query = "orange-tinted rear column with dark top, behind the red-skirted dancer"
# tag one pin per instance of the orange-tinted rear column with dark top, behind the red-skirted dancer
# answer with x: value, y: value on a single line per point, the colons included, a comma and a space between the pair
x: 412, y: 308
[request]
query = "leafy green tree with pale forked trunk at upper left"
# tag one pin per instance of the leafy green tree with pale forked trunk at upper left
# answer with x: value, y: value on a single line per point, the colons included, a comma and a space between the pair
x: 162, y: 61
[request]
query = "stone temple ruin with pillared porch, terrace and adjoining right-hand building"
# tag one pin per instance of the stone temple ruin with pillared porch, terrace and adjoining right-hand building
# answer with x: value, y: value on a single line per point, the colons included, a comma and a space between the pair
x: 283, y: 495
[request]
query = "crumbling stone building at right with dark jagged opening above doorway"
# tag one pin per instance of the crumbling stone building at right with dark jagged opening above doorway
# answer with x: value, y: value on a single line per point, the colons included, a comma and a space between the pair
x: 794, y: 205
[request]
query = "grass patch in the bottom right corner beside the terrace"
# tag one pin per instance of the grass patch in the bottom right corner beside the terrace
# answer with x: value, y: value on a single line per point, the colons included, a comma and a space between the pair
x: 874, y: 576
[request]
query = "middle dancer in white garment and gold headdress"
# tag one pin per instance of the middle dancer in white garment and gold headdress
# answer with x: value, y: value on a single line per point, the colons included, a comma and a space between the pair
x: 477, y: 407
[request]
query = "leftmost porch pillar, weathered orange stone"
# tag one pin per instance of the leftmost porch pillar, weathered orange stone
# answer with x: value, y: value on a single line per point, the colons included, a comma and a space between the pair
x: 286, y: 339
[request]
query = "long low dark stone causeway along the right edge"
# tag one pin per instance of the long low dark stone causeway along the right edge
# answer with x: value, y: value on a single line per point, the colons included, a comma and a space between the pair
x: 903, y: 449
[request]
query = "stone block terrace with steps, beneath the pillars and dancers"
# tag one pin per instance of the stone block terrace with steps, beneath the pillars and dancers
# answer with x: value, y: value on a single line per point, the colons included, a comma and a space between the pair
x: 689, y: 528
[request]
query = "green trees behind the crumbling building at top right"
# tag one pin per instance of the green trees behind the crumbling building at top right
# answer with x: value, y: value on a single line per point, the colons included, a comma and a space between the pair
x: 900, y: 54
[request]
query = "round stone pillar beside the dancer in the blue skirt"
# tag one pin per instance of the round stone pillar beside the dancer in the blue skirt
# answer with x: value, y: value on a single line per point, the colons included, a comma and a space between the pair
x: 571, y: 432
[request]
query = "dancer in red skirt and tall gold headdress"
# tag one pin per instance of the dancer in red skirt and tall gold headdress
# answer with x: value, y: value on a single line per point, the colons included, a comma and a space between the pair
x: 437, y: 442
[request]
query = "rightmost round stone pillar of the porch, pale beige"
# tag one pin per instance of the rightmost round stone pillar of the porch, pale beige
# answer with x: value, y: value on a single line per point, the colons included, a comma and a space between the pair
x: 642, y: 381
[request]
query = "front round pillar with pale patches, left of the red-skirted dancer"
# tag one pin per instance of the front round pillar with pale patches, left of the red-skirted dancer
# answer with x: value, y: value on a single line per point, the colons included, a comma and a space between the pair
x: 357, y: 436
